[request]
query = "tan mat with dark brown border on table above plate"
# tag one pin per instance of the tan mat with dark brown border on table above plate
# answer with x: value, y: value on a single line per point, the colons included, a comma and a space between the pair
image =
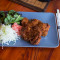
x: 33, y: 4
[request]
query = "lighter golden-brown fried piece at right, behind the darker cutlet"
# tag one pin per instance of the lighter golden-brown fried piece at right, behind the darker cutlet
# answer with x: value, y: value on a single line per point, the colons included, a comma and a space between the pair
x: 44, y: 27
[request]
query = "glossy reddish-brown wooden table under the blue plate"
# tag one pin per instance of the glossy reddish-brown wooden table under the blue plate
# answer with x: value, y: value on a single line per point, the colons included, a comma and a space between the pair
x: 13, y: 53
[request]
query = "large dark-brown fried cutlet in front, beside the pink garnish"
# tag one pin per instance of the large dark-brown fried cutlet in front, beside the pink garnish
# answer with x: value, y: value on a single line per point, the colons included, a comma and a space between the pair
x: 31, y: 34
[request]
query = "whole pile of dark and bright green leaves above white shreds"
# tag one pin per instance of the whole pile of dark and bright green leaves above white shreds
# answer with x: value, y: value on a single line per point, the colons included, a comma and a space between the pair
x: 10, y: 17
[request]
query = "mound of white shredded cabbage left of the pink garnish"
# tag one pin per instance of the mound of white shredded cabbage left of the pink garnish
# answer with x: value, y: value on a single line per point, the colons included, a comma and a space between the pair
x: 7, y: 34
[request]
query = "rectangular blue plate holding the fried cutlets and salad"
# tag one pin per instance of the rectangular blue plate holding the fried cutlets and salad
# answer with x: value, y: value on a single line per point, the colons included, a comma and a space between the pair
x: 51, y: 40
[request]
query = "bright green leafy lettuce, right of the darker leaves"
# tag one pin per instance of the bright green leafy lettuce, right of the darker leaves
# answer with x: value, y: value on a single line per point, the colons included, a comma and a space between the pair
x: 12, y: 17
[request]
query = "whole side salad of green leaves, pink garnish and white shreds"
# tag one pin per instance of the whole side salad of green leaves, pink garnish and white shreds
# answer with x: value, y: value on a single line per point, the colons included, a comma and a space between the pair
x: 10, y: 26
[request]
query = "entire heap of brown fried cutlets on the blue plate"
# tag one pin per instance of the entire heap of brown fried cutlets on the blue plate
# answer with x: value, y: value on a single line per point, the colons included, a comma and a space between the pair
x: 33, y: 30
